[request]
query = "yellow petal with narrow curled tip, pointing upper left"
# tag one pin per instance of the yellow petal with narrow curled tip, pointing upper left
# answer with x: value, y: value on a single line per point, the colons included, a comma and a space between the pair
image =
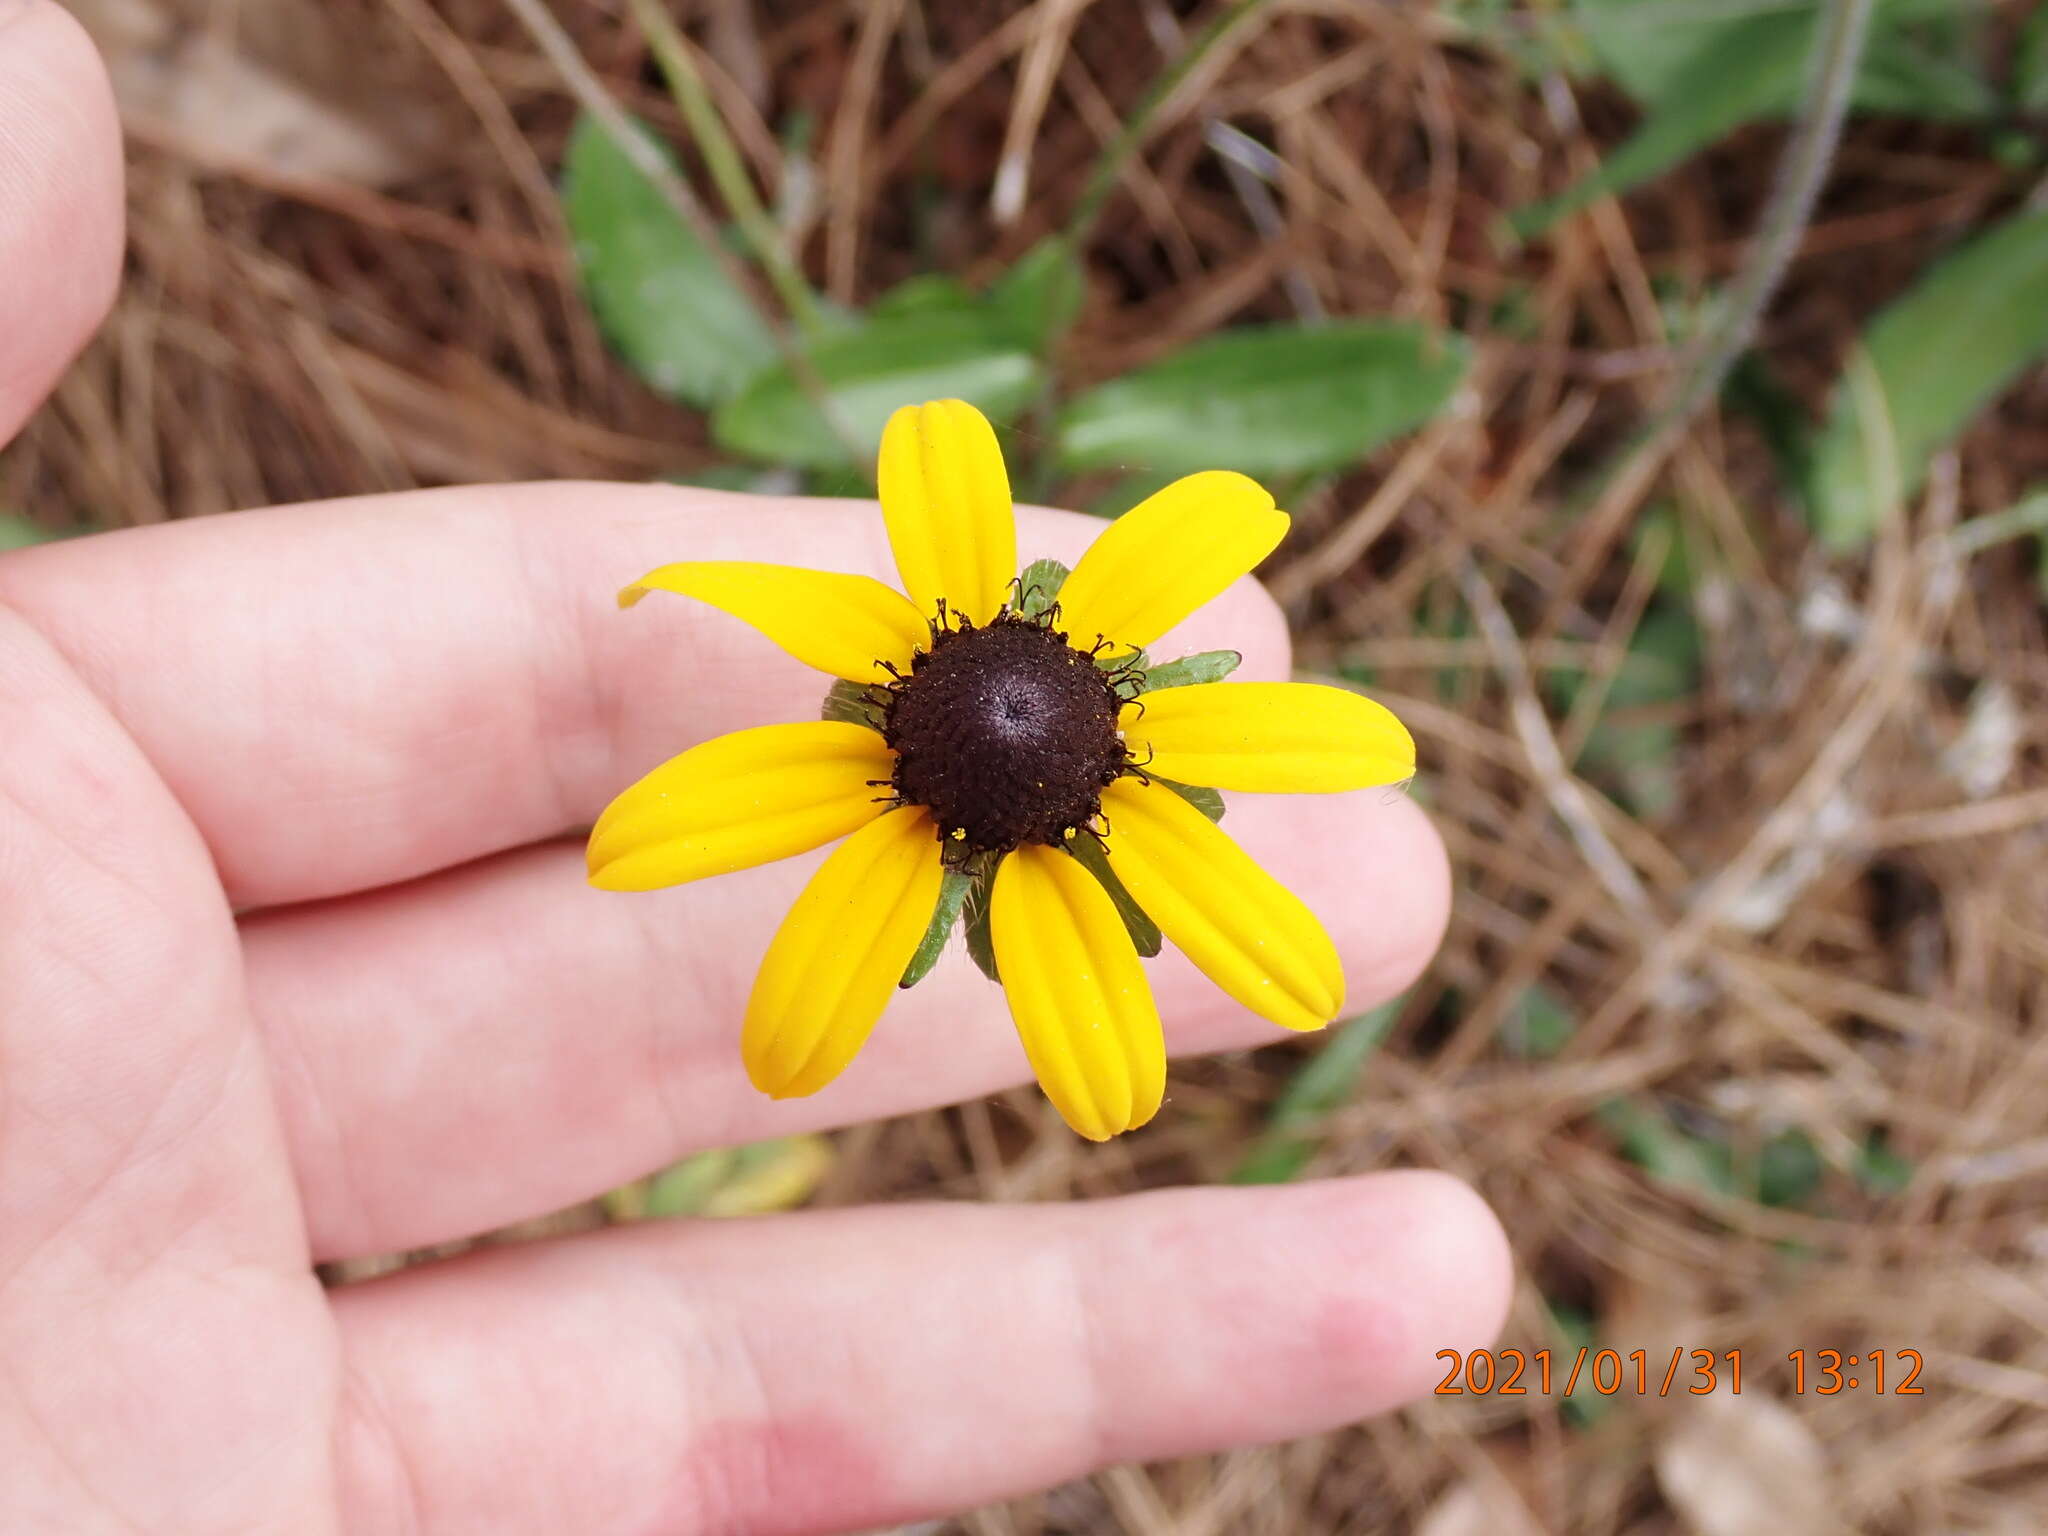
x: 845, y: 626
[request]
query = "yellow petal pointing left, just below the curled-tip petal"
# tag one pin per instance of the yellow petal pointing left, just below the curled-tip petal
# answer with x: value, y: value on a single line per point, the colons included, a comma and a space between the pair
x: 740, y: 800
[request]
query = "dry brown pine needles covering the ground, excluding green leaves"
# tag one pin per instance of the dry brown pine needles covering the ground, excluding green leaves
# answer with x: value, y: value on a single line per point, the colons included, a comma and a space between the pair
x: 1834, y: 923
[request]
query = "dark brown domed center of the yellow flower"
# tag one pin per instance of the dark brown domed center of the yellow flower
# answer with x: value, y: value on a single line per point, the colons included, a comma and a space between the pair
x: 1007, y: 734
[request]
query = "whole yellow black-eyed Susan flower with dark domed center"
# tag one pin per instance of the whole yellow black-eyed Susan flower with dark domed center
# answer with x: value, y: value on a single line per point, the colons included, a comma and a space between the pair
x: 1000, y: 751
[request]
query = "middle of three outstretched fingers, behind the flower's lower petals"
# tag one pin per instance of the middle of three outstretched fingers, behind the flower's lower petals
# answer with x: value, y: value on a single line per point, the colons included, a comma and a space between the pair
x: 499, y: 1041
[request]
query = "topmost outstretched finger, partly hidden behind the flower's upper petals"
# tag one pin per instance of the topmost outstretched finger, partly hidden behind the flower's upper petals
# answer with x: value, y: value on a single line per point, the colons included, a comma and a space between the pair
x: 355, y: 693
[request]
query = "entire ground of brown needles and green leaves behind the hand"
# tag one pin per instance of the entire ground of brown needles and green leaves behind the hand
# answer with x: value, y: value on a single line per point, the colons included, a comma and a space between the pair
x: 1658, y: 388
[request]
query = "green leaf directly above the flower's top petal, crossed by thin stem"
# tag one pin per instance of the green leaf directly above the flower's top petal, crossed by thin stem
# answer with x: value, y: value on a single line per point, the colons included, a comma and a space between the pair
x: 869, y: 372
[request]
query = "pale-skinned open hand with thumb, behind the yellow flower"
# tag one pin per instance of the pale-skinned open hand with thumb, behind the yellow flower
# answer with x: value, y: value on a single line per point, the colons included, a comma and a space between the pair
x: 298, y: 964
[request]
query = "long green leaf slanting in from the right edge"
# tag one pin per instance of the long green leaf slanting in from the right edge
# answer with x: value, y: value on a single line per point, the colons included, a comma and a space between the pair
x: 1936, y: 355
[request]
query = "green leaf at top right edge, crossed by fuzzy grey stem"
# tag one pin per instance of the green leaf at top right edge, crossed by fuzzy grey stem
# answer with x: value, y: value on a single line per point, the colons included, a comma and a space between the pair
x: 1703, y: 73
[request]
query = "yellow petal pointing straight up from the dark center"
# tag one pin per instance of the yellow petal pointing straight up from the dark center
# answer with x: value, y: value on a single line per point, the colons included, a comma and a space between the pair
x: 947, y: 503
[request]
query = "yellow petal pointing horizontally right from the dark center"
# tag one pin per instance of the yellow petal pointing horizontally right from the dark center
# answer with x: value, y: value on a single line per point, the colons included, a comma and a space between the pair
x: 1269, y: 738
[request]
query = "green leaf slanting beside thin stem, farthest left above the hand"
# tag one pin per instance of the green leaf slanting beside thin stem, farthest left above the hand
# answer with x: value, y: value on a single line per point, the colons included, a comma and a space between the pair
x: 658, y: 292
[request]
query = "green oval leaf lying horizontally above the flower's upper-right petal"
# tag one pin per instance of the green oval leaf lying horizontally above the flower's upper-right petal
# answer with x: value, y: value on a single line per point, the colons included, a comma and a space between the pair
x: 1267, y: 400
